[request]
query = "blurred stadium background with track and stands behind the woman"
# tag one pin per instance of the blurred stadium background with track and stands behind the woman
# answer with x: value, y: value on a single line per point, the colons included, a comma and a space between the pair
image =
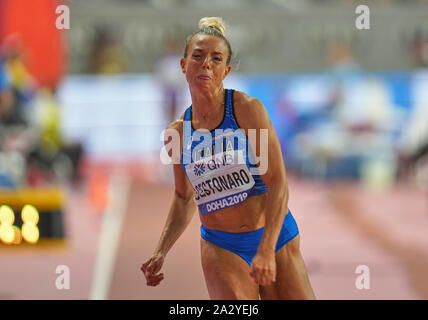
x: 82, y: 111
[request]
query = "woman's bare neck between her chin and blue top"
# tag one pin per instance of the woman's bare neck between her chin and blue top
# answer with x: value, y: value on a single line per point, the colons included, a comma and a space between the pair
x: 207, y: 106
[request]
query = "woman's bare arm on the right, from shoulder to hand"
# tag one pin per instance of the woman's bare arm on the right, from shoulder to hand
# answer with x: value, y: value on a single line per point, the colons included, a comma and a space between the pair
x: 263, y: 268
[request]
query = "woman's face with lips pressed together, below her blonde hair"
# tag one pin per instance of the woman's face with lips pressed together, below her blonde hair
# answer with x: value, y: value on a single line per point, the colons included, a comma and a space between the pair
x: 205, y: 65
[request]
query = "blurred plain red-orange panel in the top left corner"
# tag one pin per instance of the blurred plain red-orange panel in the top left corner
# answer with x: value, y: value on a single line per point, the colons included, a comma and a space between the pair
x: 33, y: 23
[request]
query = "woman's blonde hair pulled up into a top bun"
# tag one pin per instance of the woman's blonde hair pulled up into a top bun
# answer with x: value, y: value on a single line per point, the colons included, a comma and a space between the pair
x: 212, y: 26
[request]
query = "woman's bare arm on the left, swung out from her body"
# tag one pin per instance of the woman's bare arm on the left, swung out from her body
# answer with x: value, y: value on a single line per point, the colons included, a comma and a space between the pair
x: 179, y: 217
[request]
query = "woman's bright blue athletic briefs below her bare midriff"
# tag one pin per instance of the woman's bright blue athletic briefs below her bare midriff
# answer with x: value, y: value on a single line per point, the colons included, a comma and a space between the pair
x: 245, y: 244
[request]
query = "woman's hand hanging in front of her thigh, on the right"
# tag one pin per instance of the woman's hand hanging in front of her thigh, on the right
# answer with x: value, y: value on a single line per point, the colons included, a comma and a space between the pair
x: 263, y: 268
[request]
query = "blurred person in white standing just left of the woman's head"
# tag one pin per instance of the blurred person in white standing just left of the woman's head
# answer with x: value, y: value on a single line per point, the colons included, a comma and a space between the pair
x: 170, y: 76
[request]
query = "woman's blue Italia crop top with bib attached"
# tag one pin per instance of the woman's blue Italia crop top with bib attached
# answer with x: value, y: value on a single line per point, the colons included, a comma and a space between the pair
x: 217, y: 162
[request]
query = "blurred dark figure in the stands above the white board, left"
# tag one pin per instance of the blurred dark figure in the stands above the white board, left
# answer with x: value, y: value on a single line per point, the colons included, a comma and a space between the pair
x: 107, y: 55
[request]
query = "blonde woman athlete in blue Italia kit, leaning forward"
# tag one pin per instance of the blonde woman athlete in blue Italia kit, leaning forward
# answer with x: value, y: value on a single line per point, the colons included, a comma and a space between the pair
x: 249, y: 238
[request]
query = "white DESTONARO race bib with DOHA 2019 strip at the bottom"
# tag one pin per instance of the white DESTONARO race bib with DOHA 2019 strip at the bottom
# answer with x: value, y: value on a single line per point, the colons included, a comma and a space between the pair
x: 220, y: 181
